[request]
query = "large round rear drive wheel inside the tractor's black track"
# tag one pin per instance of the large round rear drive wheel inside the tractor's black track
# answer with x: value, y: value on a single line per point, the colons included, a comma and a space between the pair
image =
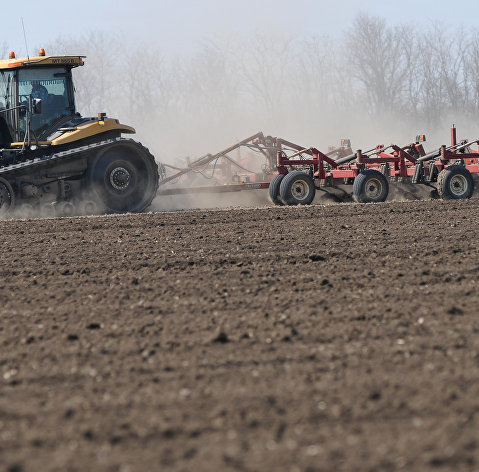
x: 123, y: 177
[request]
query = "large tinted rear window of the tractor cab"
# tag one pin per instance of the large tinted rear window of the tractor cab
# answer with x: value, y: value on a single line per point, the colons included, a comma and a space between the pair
x: 52, y: 86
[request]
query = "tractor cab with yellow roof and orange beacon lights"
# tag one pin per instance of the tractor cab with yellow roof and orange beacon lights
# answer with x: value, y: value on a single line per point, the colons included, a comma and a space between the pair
x: 47, y: 78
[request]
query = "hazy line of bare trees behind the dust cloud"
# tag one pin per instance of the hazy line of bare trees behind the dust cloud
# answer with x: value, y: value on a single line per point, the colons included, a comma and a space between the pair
x: 373, y: 78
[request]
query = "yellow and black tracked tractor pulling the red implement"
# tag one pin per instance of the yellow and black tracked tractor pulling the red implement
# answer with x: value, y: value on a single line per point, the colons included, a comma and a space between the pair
x: 54, y: 160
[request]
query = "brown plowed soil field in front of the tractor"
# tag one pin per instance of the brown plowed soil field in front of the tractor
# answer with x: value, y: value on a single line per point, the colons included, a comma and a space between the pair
x: 321, y: 338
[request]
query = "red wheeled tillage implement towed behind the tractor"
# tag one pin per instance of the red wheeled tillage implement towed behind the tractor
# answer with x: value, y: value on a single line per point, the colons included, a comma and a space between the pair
x: 293, y: 173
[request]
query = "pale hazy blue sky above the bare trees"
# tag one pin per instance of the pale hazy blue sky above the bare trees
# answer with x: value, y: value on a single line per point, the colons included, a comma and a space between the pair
x: 178, y: 25
